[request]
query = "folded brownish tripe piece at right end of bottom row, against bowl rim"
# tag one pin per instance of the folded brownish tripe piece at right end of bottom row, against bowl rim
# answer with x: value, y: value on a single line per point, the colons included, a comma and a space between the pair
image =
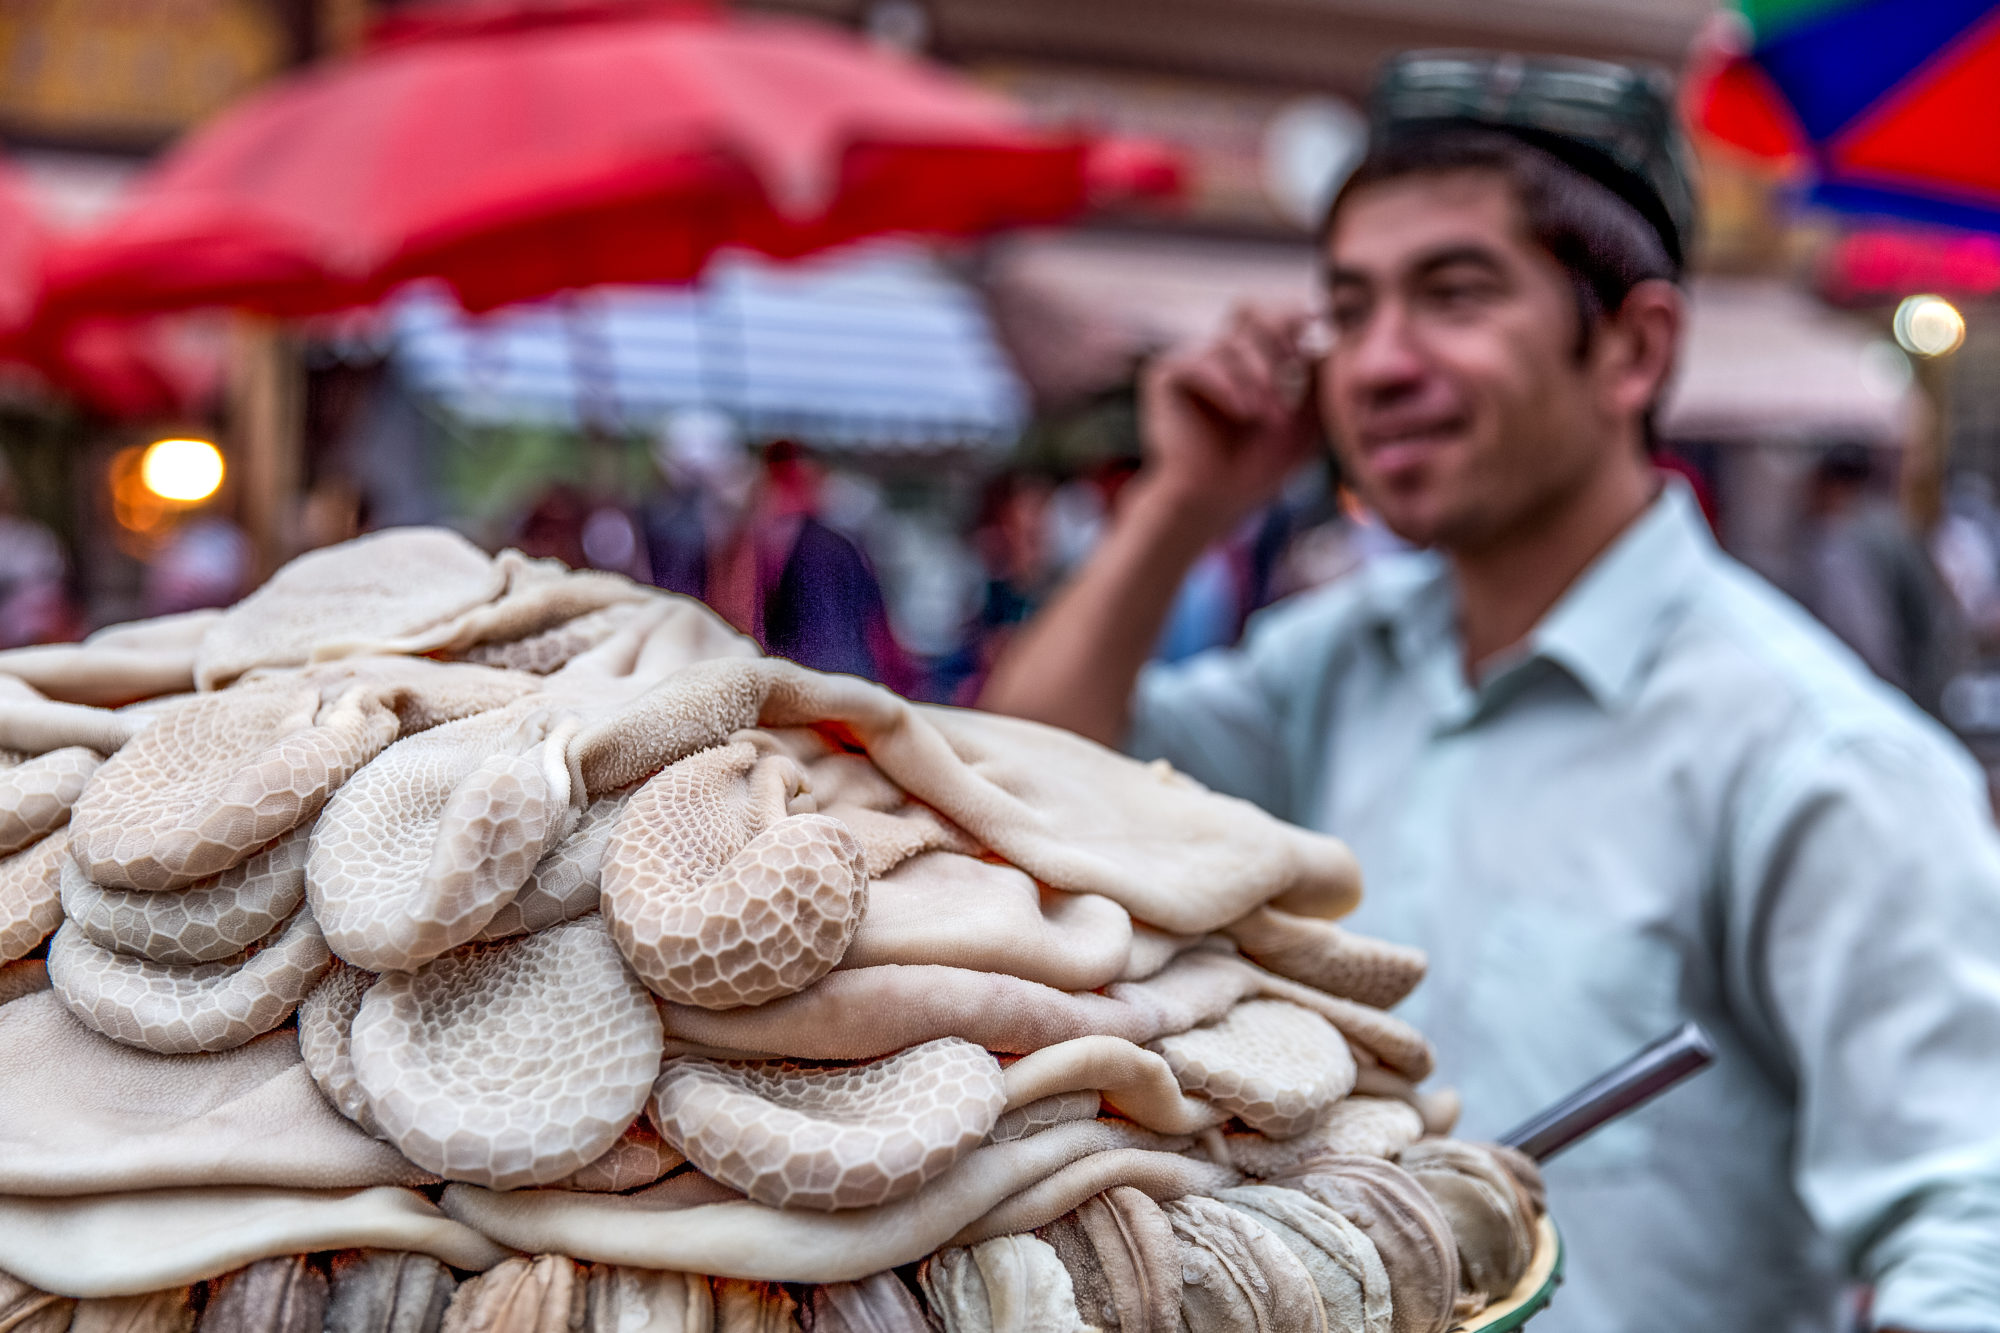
x: 1489, y: 1212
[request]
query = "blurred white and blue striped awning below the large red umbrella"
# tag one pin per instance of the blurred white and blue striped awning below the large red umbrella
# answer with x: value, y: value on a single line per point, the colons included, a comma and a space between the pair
x: 871, y: 349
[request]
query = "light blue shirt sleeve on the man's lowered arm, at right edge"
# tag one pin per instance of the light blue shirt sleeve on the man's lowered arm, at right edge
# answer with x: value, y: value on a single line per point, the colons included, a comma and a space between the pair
x: 1871, y: 944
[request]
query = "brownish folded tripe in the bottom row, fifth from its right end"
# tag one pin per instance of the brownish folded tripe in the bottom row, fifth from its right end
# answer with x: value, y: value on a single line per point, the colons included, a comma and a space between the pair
x: 1123, y: 1262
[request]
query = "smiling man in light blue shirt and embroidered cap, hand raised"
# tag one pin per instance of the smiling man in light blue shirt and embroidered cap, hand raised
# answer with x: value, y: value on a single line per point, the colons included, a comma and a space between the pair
x: 1599, y: 772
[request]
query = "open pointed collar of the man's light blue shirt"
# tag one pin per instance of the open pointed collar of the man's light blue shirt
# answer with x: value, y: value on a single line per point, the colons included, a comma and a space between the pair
x: 1607, y: 627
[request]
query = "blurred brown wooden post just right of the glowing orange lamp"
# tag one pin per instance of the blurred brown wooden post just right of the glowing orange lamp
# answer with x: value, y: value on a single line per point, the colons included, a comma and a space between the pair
x: 267, y: 413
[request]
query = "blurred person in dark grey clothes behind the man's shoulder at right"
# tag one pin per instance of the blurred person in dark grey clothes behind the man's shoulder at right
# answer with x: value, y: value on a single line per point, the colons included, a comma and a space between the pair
x: 1869, y: 579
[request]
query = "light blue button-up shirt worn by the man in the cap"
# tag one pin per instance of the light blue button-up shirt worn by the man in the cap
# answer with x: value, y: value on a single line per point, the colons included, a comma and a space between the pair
x: 1683, y: 800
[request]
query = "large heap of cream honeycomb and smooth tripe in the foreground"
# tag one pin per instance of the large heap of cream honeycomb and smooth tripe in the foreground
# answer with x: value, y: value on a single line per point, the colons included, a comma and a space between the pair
x: 443, y: 938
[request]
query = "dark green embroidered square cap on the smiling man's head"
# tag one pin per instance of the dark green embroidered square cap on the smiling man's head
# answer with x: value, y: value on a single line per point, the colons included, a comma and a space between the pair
x: 1607, y: 121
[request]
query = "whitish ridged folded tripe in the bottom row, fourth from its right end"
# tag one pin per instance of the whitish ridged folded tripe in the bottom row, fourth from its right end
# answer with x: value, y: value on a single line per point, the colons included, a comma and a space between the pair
x: 1237, y: 1276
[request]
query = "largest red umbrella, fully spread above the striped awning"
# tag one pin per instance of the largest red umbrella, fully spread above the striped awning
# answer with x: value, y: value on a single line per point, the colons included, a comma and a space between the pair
x: 517, y: 151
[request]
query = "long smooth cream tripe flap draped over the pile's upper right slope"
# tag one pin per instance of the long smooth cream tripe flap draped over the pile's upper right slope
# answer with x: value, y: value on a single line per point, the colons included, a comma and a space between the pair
x: 1067, y: 812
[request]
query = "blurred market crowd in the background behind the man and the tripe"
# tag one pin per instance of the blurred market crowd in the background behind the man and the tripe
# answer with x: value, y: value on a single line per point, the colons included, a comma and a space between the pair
x: 807, y: 557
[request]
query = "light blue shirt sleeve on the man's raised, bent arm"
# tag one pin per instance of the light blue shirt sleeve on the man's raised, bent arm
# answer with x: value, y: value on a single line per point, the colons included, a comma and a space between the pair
x: 1247, y: 722
